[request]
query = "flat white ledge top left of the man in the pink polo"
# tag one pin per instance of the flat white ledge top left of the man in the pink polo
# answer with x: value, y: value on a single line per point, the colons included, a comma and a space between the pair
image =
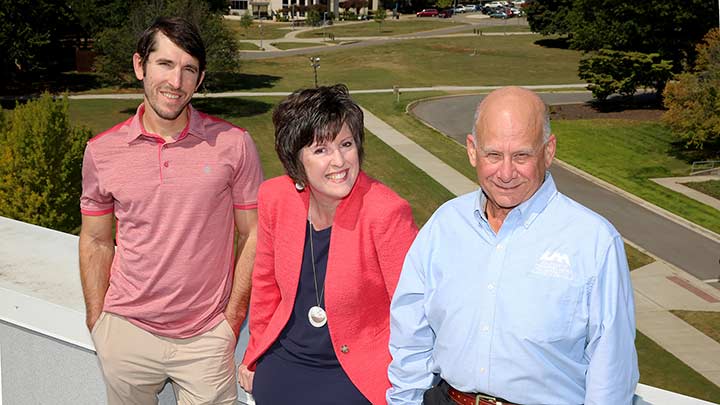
x: 40, y: 282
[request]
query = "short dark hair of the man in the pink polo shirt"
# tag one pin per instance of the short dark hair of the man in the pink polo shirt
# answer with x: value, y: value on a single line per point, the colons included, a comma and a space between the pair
x: 180, y: 31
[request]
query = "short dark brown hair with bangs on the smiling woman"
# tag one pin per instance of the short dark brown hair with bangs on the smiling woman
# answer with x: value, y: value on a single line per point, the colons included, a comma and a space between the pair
x: 314, y: 115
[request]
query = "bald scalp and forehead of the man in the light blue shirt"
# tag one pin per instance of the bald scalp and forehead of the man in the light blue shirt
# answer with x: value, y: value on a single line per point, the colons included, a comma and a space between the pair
x: 516, y: 102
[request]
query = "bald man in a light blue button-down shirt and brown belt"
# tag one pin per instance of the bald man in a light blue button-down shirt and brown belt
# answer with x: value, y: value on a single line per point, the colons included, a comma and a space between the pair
x: 514, y: 292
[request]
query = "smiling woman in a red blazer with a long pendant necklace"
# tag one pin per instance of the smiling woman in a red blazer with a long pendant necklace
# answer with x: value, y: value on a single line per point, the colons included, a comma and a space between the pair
x: 331, y: 243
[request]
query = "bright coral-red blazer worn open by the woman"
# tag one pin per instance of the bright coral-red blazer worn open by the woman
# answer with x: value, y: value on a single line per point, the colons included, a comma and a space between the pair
x: 372, y: 230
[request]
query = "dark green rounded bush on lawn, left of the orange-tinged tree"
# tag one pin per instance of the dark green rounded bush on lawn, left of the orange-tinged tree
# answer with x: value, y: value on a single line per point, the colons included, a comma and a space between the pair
x: 609, y: 72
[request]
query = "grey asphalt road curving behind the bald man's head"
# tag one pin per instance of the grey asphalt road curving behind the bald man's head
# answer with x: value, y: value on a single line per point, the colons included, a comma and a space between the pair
x: 674, y: 243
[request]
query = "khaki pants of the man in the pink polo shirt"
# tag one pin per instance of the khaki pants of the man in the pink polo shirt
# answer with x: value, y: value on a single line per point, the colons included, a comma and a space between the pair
x: 136, y: 364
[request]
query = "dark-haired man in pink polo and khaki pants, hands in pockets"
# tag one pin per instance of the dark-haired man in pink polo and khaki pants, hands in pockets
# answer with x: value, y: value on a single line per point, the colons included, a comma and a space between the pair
x: 168, y: 301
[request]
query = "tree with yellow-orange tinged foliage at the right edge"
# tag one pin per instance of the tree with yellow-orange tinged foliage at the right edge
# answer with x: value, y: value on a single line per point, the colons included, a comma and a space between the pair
x: 693, y: 101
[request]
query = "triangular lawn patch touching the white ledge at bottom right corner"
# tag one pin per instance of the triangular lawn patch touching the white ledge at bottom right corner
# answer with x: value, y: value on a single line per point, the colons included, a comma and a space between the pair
x: 661, y: 369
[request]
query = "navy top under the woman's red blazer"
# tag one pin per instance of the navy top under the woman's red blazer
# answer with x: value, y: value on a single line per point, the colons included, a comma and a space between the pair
x: 301, y: 366
